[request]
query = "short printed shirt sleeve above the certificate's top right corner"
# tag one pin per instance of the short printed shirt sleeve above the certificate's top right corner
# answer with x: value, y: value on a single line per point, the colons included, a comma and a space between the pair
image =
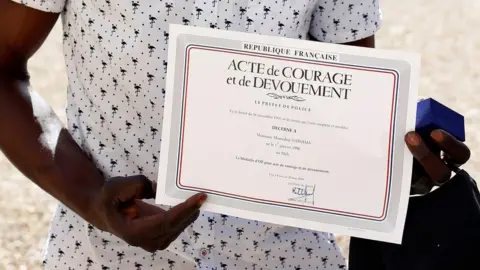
x: 345, y: 21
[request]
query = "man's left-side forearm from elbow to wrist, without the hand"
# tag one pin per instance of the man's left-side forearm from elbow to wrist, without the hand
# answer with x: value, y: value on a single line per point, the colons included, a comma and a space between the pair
x: 34, y: 140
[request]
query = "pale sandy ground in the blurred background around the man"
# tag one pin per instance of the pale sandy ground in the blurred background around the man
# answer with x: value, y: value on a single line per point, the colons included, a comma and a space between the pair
x: 445, y: 32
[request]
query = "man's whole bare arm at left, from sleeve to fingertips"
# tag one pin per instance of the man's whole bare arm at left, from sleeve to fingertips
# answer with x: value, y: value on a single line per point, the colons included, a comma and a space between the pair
x: 34, y: 140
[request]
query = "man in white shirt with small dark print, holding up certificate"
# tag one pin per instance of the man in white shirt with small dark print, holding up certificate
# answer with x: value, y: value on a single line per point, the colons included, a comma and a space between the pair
x: 116, y: 55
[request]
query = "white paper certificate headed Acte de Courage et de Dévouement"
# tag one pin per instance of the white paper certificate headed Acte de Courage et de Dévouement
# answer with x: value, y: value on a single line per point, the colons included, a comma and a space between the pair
x: 291, y: 132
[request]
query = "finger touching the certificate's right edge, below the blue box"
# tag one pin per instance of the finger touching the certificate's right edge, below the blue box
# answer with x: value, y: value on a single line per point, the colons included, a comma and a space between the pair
x: 436, y: 169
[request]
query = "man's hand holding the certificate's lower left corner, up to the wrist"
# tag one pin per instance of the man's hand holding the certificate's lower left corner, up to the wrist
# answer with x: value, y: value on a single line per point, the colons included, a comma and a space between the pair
x: 140, y: 224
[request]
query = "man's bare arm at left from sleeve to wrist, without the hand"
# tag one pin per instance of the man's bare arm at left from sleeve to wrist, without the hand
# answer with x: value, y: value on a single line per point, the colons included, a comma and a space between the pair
x: 32, y: 136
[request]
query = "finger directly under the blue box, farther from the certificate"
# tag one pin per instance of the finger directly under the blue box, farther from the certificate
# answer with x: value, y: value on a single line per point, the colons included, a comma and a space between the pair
x: 456, y: 151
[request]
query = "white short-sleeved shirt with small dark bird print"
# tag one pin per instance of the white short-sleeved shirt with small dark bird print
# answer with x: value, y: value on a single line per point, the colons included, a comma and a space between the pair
x: 116, y: 57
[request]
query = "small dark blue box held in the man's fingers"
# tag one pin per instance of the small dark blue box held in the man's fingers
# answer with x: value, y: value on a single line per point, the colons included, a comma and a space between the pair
x: 432, y: 115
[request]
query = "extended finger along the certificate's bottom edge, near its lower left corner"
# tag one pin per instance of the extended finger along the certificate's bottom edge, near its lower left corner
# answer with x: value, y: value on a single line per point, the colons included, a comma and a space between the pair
x: 177, y: 214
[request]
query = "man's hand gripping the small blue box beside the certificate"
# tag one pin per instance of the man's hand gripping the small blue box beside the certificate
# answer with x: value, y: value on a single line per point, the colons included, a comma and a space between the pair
x: 438, y: 169
